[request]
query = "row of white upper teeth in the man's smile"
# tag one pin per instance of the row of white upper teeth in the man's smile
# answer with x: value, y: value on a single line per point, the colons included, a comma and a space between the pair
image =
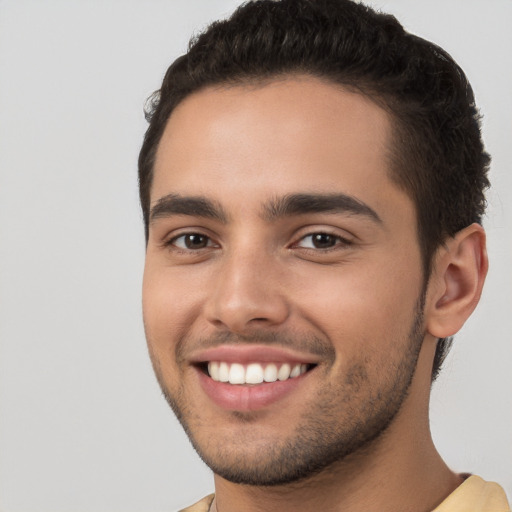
x: 253, y: 373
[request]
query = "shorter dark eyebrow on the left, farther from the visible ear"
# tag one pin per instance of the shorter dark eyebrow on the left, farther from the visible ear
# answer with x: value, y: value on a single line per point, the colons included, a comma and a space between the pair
x: 175, y: 204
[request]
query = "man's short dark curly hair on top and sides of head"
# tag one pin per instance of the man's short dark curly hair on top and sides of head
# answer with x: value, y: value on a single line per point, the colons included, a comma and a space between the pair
x: 437, y: 155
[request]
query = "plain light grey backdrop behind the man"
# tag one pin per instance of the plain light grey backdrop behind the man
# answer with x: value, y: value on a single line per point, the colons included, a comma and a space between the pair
x: 82, y: 424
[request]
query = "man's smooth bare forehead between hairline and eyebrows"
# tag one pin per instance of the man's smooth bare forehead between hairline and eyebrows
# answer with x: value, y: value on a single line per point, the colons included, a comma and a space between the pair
x: 291, y: 135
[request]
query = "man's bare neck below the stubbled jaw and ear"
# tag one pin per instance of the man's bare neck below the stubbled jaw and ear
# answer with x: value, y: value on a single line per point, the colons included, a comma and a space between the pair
x: 401, y: 470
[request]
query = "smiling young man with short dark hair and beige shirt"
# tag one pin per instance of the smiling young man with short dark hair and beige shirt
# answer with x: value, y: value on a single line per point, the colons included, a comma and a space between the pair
x: 312, y: 183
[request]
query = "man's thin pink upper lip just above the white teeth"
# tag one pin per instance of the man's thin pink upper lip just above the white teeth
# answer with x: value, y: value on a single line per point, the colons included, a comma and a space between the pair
x: 245, y: 354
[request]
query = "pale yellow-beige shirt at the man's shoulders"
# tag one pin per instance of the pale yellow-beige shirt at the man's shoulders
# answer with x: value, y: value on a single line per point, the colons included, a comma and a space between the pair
x: 473, y: 495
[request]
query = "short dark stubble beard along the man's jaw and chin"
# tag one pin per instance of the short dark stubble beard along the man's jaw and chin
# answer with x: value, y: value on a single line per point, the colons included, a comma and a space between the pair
x: 345, y: 419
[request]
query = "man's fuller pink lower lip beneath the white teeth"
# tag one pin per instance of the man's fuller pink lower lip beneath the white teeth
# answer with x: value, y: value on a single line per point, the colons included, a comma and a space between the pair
x: 237, y: 397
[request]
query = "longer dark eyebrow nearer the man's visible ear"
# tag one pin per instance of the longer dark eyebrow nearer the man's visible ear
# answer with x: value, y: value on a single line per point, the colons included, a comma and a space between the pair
x: 298, y: 204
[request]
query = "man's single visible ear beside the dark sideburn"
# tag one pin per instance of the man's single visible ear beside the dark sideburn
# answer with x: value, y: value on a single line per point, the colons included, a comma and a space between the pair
x: 456, y: 281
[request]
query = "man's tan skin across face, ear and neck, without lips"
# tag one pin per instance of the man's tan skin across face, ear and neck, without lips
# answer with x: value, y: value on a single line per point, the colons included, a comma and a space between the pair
x: 359, y: 309
